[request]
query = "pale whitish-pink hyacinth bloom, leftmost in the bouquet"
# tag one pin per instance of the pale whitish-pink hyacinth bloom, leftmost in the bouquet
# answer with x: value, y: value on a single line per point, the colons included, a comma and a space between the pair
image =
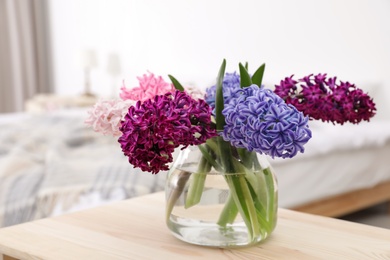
x: 106, y: 115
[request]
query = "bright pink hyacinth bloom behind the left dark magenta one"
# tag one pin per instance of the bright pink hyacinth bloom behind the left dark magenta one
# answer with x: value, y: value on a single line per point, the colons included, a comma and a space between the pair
x: 149, y: 87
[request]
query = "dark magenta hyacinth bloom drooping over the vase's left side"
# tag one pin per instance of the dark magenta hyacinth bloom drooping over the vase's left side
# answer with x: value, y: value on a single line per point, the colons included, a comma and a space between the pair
x: 151, y: 130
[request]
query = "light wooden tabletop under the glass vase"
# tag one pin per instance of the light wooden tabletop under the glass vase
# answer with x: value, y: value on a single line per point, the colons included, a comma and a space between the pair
x: 135, y: 229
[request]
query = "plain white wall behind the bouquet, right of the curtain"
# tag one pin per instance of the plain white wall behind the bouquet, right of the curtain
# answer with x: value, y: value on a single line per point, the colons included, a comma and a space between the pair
x: 349, y: 39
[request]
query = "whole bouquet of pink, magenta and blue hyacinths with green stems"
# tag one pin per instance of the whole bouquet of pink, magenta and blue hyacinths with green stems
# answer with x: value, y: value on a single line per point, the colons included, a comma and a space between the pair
x: 234, y: 121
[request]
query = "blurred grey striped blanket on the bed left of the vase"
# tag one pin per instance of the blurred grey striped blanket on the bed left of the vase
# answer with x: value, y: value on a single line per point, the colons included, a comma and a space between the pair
x: 51, y: 164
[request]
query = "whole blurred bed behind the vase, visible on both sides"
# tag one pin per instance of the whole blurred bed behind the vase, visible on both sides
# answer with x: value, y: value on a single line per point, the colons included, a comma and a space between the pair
x: 52, y: 164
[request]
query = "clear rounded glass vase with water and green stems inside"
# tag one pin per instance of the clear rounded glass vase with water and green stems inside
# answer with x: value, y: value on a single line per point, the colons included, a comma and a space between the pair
x: 221, y: 196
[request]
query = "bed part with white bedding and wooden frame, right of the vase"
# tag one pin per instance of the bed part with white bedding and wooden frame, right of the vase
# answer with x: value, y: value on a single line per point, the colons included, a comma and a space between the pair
x: 344, y: 169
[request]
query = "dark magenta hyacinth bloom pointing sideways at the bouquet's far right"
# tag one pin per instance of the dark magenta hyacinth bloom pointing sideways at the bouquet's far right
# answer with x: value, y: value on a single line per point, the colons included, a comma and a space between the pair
x: 323, y: 98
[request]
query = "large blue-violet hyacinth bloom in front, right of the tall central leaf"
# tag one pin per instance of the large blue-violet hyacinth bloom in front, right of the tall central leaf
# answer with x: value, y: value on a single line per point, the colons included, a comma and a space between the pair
x: 257, y: 119
